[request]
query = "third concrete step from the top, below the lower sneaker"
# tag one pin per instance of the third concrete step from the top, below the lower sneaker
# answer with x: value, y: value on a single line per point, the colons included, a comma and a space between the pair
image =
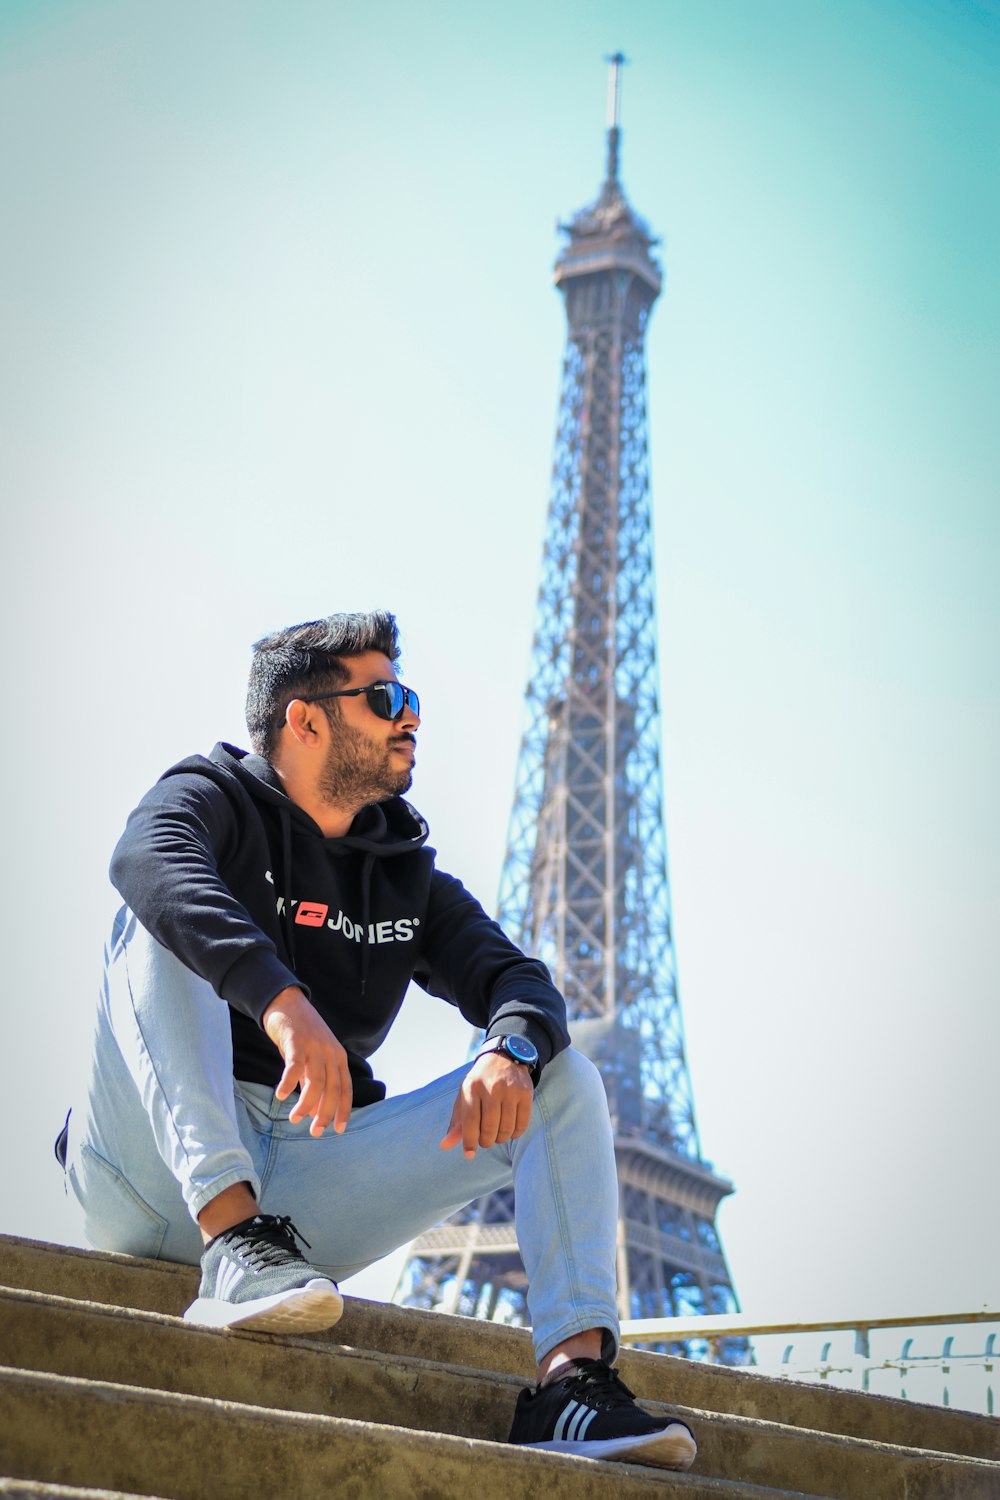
x: 137, y: 1441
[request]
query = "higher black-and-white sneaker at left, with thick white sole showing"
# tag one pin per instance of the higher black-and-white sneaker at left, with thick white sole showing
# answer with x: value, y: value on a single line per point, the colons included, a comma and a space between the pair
x: 254, y: 1277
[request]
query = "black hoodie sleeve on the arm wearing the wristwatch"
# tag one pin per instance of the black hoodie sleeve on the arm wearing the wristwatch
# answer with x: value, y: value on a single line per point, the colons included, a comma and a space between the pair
x: 469, y: 961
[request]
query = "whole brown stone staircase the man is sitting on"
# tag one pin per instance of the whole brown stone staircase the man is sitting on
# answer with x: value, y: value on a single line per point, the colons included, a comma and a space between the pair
x: 106, y: 1393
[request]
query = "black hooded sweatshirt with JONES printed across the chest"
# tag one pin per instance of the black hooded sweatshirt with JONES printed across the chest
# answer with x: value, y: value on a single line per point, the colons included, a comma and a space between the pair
x: 245, y: 889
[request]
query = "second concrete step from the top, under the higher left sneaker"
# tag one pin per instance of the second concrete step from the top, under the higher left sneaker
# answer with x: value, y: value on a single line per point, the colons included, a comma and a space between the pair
x: 43, y: 1333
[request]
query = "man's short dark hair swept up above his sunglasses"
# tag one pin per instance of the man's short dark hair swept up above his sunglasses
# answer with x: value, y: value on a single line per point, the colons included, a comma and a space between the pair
x: 305, y: 661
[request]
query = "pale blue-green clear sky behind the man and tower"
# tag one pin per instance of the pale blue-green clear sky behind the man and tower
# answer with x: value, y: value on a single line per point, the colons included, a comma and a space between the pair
x: 280, y: 338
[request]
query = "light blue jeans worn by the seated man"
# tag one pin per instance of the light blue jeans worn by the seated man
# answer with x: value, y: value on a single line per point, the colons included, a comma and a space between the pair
x: 164, y: 1127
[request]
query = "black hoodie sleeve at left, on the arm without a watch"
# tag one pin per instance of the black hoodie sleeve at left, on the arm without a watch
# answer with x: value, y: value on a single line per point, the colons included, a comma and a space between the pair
x: 167, y: 869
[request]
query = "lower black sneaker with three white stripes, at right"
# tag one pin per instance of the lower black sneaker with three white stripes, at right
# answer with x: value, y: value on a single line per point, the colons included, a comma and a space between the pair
x: 594, y: 1415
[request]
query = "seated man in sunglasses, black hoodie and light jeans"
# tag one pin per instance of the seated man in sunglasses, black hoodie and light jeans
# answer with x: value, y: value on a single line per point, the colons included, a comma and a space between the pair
x: 277, y: 908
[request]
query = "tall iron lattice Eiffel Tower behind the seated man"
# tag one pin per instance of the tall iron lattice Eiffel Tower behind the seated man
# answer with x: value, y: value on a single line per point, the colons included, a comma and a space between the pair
x: 585, y: 875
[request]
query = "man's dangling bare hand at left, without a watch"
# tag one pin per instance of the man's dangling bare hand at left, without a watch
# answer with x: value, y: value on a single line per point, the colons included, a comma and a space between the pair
x: 314, y: 1061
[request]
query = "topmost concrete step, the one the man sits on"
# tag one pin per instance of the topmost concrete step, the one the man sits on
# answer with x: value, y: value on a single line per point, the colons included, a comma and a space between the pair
x: 166, y: 1288
